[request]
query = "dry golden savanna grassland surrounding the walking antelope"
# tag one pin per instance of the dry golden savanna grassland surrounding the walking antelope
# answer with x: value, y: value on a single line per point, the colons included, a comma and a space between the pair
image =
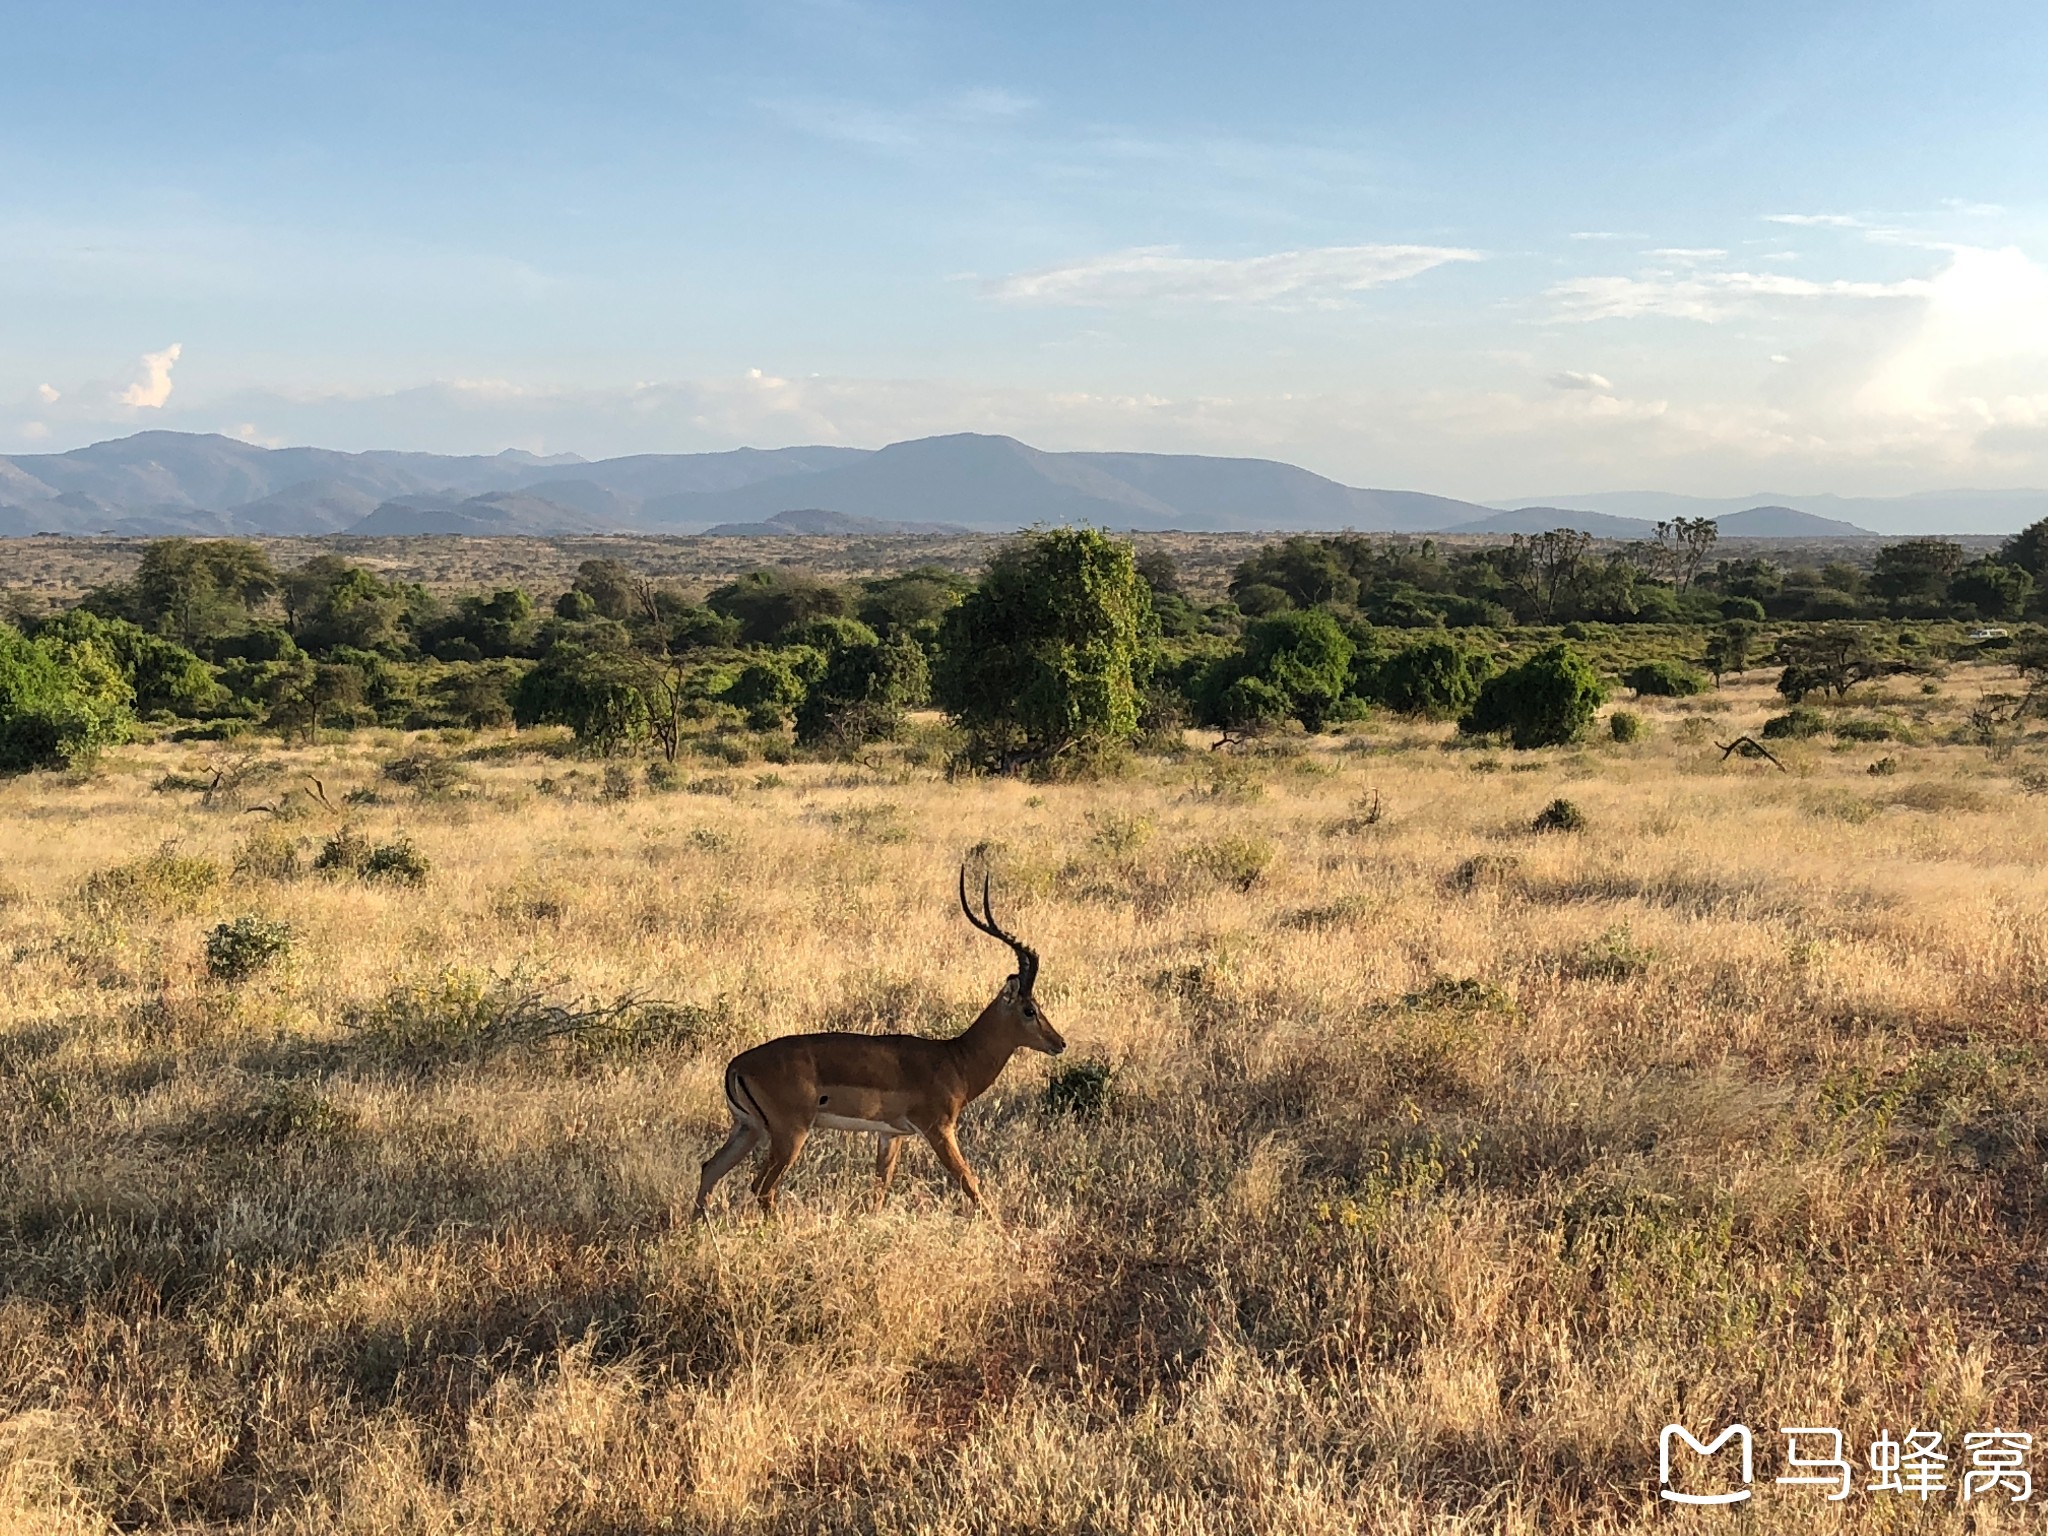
x: 1410, y: 1168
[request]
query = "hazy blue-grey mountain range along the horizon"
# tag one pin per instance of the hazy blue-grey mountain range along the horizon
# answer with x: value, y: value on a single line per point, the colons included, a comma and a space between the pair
x: 204, y: 484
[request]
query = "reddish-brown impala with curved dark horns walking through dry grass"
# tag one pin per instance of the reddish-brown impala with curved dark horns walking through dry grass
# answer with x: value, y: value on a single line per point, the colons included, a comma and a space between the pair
x: 890, y: 1084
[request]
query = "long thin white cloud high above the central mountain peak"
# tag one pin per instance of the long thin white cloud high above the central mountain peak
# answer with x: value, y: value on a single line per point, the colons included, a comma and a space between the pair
x: 1158, y: 273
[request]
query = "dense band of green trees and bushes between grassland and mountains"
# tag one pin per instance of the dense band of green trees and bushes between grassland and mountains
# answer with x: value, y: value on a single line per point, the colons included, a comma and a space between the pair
x: 1070, y: 640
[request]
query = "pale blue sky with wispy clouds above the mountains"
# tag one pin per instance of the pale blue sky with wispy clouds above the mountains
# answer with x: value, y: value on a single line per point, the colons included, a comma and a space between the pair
x: 1474, y: 249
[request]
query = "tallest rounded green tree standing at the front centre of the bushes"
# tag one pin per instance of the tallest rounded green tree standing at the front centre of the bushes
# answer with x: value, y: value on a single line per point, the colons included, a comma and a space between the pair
x: 1052, y: 650
